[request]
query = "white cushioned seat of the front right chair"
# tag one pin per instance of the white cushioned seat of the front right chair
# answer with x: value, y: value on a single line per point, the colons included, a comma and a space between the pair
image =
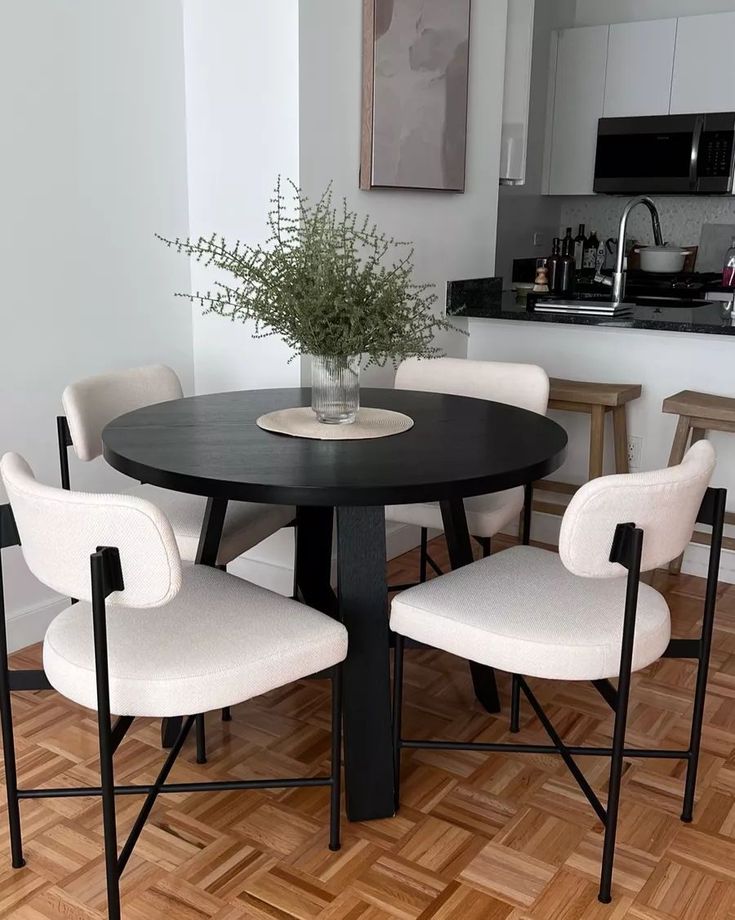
x: 521, y: 611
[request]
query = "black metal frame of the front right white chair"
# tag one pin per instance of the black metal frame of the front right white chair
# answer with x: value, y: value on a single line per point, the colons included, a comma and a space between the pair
x: 626, y: 549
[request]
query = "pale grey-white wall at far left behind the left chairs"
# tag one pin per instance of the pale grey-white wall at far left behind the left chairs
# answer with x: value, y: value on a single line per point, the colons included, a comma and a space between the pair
x: 92, y: 164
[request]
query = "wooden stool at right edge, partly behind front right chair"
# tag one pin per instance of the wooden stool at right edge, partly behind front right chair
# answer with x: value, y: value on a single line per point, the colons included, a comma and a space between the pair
x: 699, y: 413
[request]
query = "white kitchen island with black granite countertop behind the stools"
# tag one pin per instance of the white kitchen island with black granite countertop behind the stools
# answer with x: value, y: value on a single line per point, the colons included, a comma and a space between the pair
x: 664, y: 350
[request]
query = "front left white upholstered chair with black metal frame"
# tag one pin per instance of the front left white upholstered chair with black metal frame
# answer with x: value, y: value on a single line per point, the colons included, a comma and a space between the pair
x: 150, y: 636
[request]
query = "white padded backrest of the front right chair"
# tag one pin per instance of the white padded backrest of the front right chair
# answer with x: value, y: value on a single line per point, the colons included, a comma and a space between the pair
x: 664, y: 504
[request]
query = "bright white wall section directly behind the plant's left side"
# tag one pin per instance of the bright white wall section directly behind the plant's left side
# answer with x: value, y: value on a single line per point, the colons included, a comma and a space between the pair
x: 242, y: 131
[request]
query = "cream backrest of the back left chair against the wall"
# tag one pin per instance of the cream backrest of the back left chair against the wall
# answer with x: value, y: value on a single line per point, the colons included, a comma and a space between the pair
x: 92, y: 403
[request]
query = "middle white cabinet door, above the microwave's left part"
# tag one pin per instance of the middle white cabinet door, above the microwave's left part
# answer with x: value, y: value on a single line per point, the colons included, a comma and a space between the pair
x: 640, y: 62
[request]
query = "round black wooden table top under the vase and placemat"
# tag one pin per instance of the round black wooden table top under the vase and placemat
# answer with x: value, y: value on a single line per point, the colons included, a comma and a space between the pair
x: 210, y: 445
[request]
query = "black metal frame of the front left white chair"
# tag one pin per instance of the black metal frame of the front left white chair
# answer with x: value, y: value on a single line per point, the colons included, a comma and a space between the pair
x: 106, y: 577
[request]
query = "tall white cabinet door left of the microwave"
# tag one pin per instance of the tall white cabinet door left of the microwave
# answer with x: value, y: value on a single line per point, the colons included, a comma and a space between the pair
x: 578, y: 100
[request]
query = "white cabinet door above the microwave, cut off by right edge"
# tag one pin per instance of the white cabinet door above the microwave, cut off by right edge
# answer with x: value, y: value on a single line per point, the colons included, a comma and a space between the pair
x: 704, y: 80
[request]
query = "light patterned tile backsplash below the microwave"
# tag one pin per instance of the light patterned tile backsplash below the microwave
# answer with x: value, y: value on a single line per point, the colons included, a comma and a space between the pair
x: 682, y: 217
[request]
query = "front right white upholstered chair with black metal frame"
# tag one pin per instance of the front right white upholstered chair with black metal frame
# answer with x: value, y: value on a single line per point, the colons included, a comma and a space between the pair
x: 582, y: 614
